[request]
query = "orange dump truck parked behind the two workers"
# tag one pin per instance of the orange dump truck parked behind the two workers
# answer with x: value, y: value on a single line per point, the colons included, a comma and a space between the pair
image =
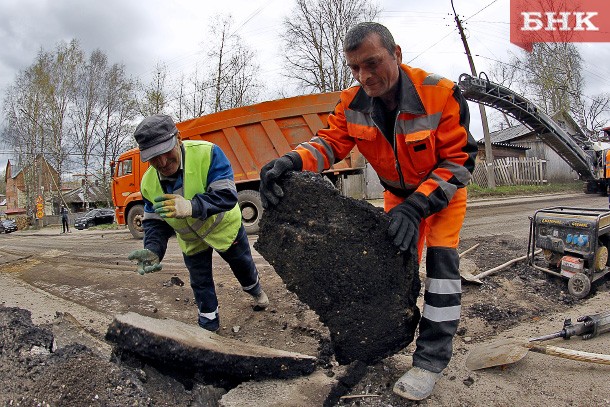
x: 250, y: 136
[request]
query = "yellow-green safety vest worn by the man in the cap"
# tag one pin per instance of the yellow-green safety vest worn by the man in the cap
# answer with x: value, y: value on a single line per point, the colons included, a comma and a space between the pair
x: 194, y: 234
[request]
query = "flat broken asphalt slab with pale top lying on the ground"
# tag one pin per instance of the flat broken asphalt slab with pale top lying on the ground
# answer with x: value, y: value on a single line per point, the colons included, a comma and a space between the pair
x: 190, y: 348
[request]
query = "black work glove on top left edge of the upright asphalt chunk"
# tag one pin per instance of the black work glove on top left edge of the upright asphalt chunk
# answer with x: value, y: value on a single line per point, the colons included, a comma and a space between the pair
x: 270, y: 191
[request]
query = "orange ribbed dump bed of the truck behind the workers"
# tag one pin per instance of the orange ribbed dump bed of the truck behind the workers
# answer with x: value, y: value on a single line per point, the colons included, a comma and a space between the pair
x: 253, y: 135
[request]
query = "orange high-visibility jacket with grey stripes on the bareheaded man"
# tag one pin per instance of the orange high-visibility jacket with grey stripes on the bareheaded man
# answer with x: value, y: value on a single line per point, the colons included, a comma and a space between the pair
x: 433, y: 152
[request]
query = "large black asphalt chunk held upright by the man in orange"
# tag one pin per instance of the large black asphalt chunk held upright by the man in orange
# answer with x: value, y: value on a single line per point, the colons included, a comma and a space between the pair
x: 334, y: 254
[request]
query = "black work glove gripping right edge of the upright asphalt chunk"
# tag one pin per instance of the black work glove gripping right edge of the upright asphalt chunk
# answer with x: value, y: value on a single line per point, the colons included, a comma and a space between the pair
x: 404, y: 226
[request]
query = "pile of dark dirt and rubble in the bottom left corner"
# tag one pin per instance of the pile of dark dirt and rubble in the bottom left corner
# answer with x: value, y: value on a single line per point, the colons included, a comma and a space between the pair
x: 33, y: 373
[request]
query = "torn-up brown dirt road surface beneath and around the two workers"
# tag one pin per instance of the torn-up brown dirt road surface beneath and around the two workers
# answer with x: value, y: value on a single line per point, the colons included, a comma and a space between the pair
x: 86, y: 273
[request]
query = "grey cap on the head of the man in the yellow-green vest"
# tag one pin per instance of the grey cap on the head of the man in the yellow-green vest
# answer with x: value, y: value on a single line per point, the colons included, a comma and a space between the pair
x: 155, y: 135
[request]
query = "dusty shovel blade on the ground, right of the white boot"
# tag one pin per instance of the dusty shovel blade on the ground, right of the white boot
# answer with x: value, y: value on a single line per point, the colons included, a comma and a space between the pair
x: 497, y: 353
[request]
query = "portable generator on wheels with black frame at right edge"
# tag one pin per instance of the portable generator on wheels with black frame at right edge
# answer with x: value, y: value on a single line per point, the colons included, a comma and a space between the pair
x: 574, y: 242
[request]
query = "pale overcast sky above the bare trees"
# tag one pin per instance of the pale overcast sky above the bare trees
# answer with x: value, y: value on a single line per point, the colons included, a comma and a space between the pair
x: 142, y: 33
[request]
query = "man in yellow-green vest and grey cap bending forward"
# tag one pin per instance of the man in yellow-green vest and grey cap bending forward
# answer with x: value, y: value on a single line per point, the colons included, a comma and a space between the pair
x: 189, y: 190
